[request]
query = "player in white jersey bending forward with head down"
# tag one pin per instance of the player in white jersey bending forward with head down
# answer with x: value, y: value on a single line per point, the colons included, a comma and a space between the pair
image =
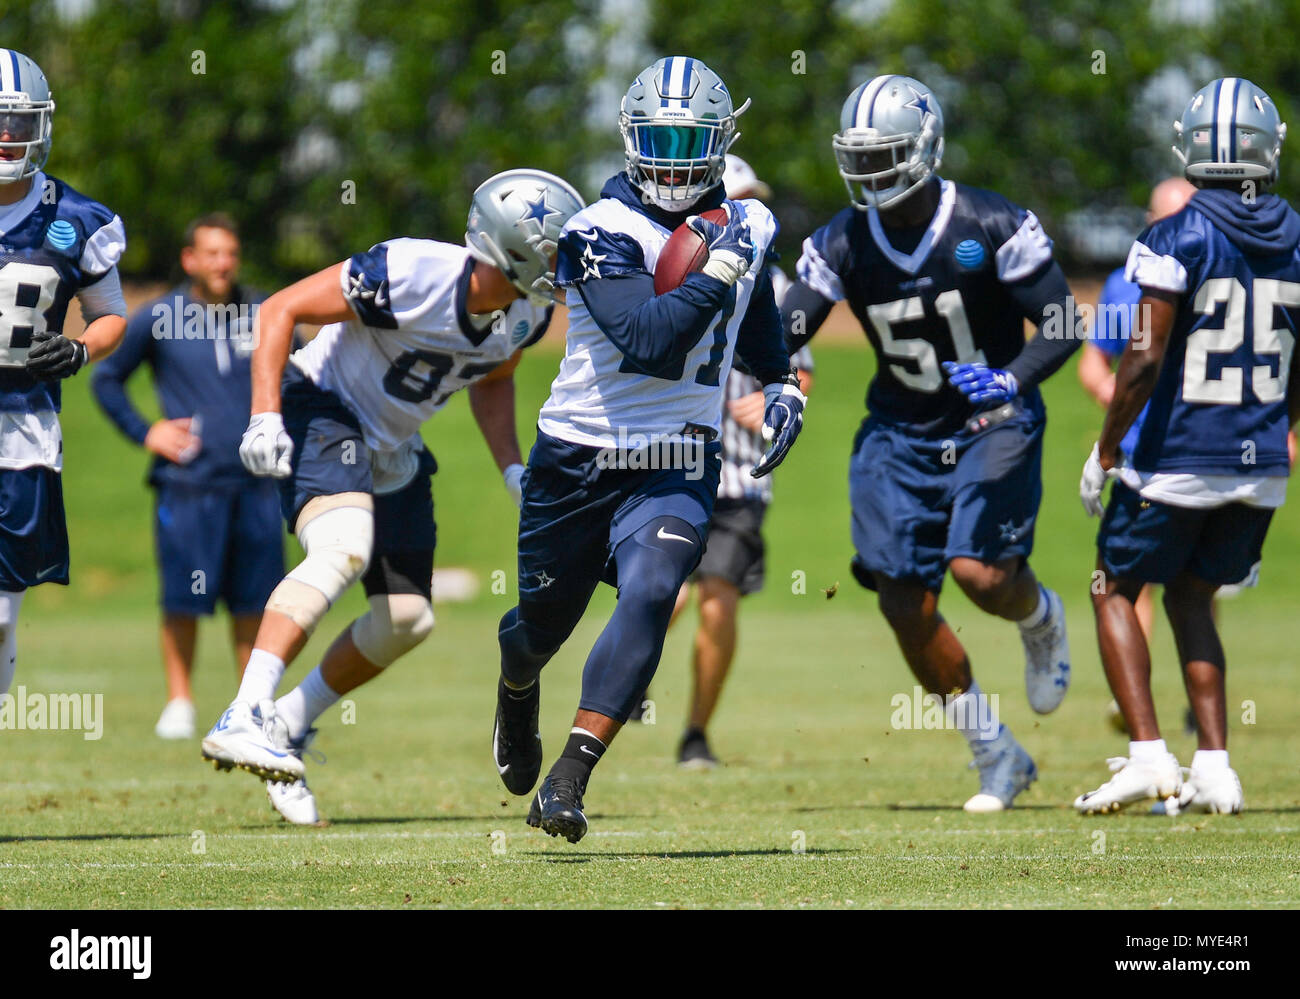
x: 409, y: 323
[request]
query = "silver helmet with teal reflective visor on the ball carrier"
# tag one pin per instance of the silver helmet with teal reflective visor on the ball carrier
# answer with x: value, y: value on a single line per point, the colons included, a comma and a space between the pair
x: 678, y: 123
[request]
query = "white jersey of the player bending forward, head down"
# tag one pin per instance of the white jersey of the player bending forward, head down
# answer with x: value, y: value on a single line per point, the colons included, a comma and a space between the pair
x: 413, y: 344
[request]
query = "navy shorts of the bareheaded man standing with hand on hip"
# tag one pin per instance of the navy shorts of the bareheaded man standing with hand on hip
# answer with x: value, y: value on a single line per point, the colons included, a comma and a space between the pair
x: 215, y: 543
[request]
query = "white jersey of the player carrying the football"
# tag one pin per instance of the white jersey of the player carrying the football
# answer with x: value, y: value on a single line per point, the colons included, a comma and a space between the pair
x: 596, y: 397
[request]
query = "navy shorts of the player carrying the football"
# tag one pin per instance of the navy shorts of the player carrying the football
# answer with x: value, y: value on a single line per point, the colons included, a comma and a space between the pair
x: 577, y: 513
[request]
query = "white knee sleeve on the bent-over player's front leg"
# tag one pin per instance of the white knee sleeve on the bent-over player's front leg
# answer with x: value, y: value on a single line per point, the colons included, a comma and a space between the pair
x: 337, y: 533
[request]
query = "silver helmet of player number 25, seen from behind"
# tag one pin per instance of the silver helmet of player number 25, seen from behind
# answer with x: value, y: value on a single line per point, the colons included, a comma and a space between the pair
x: 1230, y: 131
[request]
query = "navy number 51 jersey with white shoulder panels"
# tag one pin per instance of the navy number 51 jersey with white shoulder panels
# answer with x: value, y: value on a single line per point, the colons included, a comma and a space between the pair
x: 946, y: 300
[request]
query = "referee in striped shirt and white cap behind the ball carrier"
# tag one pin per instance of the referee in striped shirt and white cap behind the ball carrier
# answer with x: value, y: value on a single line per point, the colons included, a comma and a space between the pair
x: 733, y: 565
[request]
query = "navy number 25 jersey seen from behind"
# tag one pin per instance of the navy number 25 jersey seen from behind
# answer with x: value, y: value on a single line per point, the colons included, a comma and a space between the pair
x: 1220, y: 405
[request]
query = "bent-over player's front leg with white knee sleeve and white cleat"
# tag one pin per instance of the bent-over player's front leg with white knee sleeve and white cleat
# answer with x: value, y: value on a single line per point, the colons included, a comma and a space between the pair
x: 328, y: 501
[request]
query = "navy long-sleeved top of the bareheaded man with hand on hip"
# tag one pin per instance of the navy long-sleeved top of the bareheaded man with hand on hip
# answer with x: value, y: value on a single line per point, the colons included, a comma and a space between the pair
x: 201, y: 360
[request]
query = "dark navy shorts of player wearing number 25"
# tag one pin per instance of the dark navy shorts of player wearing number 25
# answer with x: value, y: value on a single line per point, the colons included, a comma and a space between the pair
x: 1150, y: 542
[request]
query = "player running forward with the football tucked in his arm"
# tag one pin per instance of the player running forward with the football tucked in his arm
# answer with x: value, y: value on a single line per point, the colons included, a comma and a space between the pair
x: 622, y: 482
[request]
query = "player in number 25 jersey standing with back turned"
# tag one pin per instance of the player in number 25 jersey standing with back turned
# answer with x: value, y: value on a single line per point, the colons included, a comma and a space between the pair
x: 1214, y: 354
